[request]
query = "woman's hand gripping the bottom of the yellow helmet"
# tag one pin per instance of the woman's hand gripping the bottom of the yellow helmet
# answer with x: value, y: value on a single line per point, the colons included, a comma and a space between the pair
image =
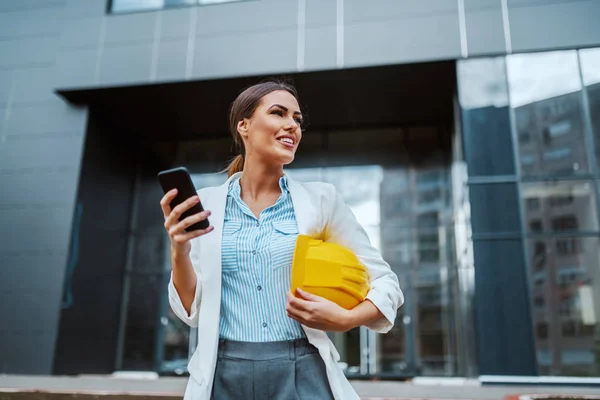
x: 317, y: 312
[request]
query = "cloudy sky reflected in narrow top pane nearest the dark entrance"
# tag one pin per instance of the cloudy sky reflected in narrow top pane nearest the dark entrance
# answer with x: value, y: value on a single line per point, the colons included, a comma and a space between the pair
x: 482, y: 83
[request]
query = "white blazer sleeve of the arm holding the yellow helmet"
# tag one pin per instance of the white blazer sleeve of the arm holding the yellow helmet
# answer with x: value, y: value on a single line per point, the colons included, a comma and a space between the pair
x: 343, y: 228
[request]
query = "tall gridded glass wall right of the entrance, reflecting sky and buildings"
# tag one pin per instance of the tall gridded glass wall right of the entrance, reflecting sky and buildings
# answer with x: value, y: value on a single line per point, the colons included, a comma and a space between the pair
x: 541, y: 112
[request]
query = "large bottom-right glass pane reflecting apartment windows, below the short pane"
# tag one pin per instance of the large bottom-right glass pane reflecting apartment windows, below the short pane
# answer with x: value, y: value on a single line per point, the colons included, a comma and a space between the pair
x: 565, y: 296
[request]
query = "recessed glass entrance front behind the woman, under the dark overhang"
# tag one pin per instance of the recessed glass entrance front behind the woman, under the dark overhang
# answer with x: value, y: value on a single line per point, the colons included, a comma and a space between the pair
x: 408, y: 210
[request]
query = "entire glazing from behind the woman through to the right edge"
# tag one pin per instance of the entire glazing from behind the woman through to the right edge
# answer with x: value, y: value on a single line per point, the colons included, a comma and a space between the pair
x: 497, y: 254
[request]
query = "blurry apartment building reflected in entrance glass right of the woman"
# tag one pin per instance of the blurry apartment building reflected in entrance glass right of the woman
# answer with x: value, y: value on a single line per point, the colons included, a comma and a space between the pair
x: 418, y: 205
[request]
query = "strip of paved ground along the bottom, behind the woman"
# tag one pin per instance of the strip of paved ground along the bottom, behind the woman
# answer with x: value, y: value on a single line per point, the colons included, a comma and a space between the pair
x: 105, y: 387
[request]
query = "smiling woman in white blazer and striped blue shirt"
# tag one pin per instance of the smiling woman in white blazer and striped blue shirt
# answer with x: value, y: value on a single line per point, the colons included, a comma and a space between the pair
x: 255, y: 339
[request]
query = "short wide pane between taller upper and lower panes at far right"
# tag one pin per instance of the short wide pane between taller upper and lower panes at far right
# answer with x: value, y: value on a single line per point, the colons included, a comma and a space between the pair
x: 560, y: 206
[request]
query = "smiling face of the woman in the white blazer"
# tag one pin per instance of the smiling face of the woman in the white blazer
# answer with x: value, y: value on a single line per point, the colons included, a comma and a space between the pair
x: 273, y: 132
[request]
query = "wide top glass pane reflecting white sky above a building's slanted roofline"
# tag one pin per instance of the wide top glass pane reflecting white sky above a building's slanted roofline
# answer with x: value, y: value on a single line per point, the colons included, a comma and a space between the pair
x: 545, y: 93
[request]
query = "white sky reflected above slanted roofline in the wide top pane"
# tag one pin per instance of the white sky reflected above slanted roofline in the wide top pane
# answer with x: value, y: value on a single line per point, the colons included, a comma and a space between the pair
x: 539, y: 76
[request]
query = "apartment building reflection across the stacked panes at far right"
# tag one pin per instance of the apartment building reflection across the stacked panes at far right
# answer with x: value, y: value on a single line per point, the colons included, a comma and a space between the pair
x: 564, y: 275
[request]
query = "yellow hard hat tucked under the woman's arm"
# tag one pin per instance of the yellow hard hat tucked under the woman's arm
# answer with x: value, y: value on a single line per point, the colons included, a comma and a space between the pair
x: 329, y: 270
